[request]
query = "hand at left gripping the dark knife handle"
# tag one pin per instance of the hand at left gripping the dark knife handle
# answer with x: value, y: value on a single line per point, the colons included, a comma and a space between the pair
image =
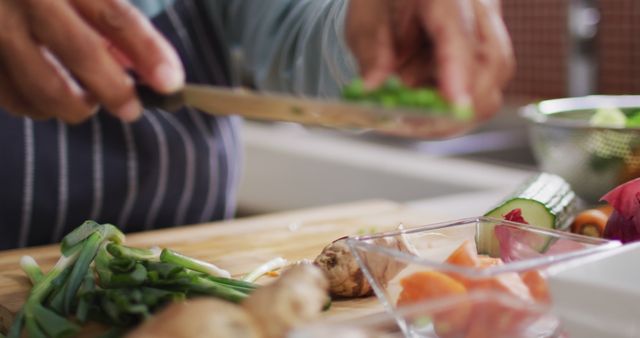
x: 61, y: 58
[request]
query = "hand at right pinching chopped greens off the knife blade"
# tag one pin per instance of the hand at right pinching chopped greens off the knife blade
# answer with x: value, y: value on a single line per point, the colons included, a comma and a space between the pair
x: 462, y: 46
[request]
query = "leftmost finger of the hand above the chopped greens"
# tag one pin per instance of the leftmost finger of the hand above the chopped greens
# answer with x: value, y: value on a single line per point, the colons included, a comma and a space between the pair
x: 369, y: 35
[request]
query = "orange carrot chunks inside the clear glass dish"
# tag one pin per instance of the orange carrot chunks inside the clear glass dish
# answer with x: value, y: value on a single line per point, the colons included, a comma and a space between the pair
x: 475, y: 320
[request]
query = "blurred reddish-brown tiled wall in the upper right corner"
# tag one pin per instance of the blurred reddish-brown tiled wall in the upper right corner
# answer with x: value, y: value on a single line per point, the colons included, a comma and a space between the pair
x: 561, y: 45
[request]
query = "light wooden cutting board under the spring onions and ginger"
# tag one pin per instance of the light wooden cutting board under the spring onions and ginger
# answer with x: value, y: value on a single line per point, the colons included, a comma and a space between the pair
x: 241, y: 245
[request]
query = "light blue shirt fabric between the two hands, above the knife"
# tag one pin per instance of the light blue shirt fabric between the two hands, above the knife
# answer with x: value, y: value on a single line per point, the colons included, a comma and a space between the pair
x: 294, y: 46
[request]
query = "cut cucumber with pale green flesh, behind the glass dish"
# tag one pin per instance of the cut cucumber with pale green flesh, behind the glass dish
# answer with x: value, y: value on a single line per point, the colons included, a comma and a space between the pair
x: 546, y: 201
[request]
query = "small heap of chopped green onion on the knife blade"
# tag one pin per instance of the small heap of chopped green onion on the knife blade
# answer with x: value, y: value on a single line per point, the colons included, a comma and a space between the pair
x: 394, y: 94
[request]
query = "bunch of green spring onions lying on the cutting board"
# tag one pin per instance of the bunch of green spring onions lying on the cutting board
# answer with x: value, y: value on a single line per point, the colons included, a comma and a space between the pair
x: 98, y: 278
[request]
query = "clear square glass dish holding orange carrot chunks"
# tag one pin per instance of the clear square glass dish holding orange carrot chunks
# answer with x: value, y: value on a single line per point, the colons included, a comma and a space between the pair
x: 409, y: 266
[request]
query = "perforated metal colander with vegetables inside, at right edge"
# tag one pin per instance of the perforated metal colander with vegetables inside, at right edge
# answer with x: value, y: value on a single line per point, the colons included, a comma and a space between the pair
x: 593, y: 160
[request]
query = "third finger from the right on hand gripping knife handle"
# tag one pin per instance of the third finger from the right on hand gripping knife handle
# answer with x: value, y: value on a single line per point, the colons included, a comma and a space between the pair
x: 38, y: 87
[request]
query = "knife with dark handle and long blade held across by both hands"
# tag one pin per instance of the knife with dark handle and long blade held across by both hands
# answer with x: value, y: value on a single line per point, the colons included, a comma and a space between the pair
x: 416, y: 123
